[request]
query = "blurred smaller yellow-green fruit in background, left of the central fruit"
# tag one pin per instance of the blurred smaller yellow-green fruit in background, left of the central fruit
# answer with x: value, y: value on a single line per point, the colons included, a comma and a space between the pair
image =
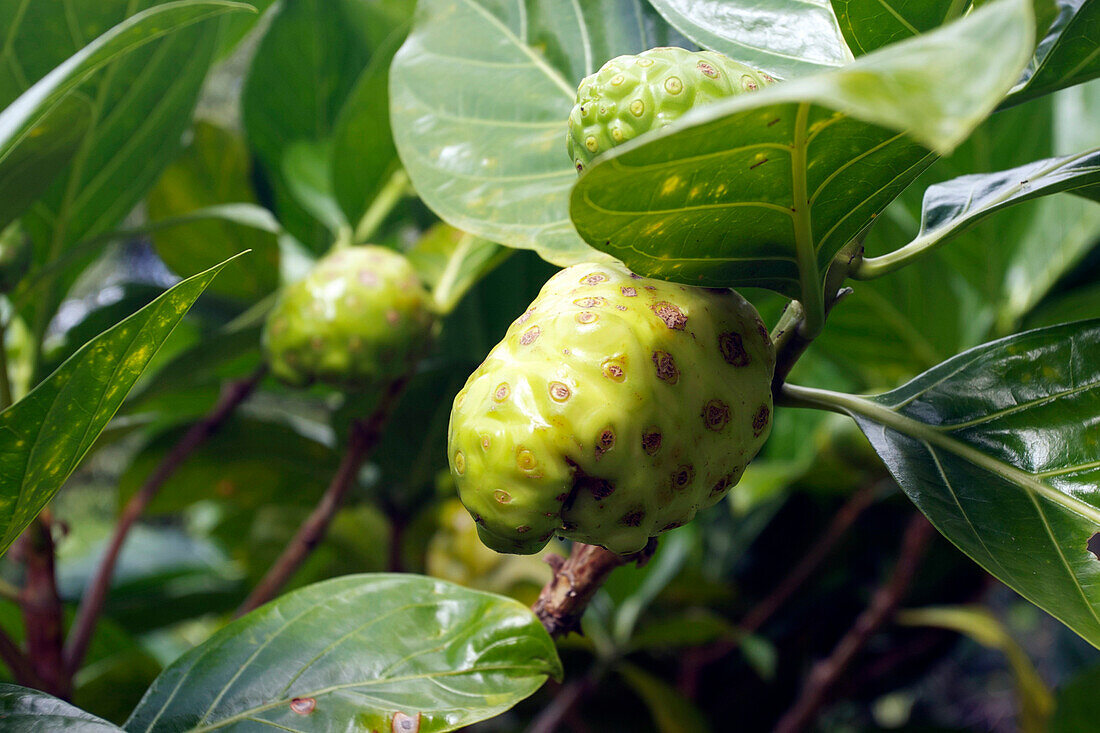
x: 358, y: 320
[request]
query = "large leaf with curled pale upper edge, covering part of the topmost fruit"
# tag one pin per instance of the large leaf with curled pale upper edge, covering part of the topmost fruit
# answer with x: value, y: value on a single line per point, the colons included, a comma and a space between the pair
x: 766, y: 189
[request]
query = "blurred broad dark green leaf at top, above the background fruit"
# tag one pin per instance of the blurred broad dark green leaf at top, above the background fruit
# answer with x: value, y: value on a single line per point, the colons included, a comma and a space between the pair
x: 303, y: 72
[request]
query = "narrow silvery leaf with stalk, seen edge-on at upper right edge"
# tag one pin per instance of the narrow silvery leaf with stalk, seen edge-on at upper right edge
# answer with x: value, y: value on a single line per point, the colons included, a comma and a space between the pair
x: 952, y: 207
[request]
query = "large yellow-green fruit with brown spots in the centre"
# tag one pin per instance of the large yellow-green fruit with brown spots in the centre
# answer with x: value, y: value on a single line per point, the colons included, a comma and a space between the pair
x: 614, y: 410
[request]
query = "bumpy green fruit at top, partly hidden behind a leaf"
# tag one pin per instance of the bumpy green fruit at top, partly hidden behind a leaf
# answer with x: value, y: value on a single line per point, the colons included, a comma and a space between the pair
x: 632, y: 95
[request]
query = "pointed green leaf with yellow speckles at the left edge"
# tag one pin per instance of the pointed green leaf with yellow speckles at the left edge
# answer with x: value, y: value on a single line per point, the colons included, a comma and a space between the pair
x: 45, y: 435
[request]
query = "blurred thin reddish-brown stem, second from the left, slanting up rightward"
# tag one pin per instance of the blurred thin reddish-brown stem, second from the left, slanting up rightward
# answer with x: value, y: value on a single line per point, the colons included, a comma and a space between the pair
x: 92, y: 604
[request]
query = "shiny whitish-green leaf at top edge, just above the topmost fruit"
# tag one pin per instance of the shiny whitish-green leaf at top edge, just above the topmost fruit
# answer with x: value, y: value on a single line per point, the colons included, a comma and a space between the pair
x: 788, y: 39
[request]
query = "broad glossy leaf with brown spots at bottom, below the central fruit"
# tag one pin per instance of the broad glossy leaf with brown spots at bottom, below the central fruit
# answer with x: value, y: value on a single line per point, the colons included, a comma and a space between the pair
x: 355, y: 653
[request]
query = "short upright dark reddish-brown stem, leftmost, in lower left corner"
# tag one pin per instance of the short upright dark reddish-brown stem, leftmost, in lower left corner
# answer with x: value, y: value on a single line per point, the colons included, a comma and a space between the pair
x: 42, y: 609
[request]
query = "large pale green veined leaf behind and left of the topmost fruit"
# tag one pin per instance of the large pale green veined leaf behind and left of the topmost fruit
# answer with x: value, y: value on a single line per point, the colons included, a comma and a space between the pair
x: 480, y: 95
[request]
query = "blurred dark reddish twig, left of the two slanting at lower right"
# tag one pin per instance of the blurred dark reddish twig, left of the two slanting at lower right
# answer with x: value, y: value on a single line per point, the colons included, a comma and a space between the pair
x: 697, y: 659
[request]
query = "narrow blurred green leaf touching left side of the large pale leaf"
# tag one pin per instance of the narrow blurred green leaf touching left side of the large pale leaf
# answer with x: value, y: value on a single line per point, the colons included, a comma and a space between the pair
x: 365, y: 157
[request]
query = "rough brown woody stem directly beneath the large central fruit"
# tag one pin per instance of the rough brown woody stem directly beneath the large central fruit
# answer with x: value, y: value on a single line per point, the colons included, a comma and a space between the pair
x: 576, y: 581
